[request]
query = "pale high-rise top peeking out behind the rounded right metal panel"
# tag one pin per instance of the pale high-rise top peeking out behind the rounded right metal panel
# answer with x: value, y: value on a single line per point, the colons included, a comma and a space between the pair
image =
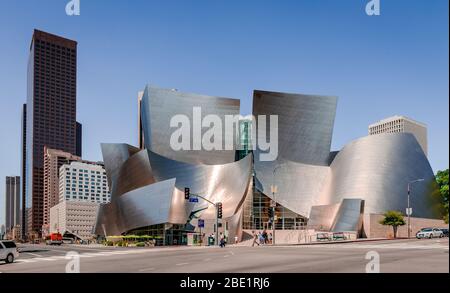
x: 399, y: 124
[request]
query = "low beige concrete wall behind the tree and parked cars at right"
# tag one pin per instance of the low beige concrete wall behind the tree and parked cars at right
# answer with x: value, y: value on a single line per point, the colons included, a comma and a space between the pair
x: 373, y: 229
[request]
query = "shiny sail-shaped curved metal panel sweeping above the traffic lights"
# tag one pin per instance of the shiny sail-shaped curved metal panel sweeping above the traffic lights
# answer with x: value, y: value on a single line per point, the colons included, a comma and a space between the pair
x: 226, y: 183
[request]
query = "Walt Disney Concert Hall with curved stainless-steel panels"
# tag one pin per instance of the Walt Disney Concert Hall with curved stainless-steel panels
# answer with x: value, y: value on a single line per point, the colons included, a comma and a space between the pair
x: 316, y: 188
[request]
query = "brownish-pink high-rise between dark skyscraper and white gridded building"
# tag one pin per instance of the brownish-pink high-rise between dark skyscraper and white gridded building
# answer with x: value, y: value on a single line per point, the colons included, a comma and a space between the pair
x: 53, y: 160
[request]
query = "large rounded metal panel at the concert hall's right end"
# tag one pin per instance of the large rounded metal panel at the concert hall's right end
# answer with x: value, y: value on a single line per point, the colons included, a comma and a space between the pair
x: 377, y: 169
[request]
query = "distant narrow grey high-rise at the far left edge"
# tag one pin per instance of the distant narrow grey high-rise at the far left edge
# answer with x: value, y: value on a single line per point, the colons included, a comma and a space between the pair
x: 12, y: 205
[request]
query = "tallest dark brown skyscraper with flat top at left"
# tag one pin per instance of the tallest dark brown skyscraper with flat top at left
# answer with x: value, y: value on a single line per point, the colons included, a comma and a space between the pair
x: 50, y: 115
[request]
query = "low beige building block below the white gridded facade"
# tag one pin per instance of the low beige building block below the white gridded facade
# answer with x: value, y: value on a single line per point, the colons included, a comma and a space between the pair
x: 75, y: 218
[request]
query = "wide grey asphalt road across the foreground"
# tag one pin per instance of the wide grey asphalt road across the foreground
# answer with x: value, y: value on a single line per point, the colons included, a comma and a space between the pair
x: 399, y: 256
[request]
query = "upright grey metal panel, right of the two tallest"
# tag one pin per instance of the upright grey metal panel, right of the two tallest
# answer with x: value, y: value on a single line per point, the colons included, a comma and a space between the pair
x: 305, y: 124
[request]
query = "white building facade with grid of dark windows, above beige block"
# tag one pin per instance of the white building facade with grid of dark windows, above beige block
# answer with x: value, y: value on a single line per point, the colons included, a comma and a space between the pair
x: 83, y: 181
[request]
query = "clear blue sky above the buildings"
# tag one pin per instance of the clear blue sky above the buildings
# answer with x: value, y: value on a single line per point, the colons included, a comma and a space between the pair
x: 396, y: 63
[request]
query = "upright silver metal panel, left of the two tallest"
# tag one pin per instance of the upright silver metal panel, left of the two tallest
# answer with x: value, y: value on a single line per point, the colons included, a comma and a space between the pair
x: 158, y: 108
